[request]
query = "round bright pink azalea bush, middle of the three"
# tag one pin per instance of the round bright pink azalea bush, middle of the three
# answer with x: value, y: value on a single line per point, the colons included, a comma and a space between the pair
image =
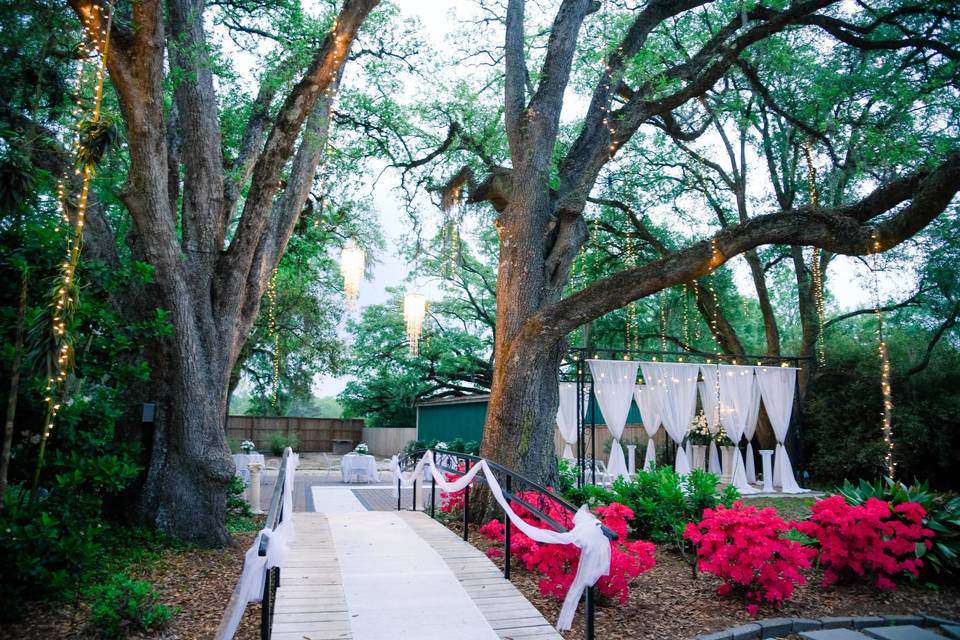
x: 749, y: 551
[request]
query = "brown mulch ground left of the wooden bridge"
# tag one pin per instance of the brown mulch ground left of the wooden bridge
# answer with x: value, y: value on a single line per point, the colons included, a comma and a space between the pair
x: 198, y: 582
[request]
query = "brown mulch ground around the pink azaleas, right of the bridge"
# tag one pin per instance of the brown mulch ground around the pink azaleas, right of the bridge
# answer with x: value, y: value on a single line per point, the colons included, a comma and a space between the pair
x: 668, y: 603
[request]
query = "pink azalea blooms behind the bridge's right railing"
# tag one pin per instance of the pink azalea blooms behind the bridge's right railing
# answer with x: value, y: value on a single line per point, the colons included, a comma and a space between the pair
x: 558, y: 563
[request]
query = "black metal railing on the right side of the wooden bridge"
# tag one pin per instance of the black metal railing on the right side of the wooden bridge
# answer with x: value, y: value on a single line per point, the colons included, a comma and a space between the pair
x: 517, y: 489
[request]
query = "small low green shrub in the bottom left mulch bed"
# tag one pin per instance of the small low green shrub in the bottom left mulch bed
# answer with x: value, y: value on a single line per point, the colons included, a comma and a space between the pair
x: 122, y: 605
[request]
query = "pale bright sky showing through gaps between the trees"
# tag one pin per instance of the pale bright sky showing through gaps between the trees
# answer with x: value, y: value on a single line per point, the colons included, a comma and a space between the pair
x: 849, y: 280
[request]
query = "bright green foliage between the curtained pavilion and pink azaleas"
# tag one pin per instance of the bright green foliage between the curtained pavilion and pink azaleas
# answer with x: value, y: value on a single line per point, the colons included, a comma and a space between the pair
x: 662, y: 501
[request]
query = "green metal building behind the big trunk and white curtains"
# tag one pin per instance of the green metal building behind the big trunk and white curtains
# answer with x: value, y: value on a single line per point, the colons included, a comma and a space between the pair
x: 464, y: 416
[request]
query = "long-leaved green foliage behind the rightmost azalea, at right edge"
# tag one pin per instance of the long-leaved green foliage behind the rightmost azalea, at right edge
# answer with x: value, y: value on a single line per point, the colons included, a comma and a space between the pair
x: 943, y: 517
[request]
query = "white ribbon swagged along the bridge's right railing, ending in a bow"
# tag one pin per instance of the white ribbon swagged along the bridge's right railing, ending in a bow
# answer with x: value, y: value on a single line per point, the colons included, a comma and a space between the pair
x: 587, y: 533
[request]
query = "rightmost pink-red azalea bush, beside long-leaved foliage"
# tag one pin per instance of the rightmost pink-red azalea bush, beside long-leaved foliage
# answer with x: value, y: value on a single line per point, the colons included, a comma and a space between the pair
x: 871, y: 538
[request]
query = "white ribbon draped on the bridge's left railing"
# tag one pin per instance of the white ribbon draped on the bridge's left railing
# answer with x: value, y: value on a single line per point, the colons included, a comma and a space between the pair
x: 250, y: 587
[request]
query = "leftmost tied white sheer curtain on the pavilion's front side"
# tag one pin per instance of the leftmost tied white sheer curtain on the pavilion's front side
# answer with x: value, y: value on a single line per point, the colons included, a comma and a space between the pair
x: 613, y: 384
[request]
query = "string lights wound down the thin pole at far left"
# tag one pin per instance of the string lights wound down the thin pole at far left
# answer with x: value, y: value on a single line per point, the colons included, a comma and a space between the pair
x: 64, y: 303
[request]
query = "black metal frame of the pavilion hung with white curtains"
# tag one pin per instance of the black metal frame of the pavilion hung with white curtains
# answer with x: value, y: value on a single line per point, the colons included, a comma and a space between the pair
x: 579, y: 357
